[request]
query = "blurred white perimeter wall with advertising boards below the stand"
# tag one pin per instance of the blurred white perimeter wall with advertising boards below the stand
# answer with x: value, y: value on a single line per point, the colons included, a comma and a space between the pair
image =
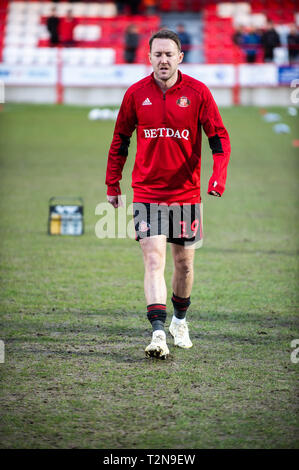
x: 261, y: 85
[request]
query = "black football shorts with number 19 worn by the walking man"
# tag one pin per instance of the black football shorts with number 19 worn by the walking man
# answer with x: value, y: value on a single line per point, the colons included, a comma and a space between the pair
x: 180, y: 223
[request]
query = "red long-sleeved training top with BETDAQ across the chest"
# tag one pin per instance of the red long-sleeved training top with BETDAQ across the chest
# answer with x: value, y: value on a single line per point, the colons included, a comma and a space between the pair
x: 168, y: 125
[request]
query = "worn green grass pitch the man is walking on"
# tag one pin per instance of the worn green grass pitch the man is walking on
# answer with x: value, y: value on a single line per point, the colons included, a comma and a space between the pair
x: 73, y: 310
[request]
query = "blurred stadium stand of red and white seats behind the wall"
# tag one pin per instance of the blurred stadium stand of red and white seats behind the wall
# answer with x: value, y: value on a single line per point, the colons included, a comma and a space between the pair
x: 99, y: 32
